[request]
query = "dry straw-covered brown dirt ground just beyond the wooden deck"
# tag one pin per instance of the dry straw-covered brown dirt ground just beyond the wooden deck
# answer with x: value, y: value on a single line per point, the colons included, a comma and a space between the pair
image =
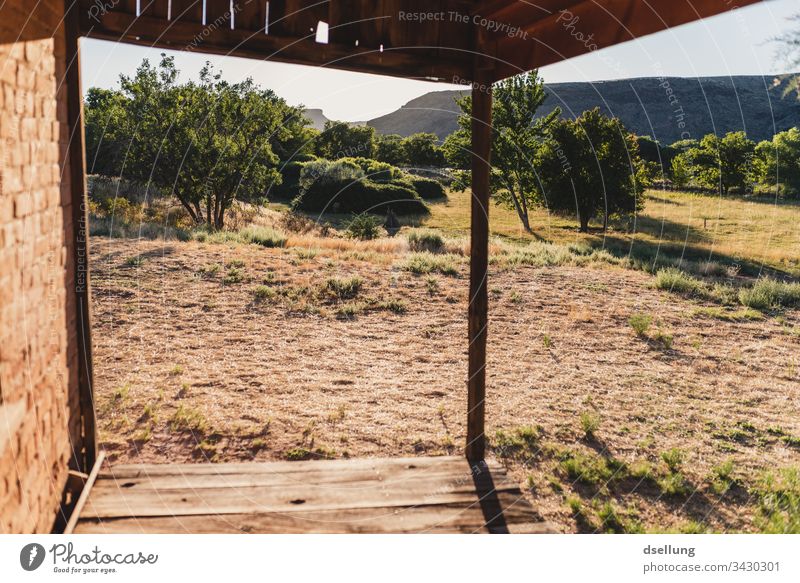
x: 192, y: 366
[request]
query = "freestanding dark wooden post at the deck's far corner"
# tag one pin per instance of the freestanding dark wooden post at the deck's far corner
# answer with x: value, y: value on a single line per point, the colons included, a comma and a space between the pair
x: 479, y: 263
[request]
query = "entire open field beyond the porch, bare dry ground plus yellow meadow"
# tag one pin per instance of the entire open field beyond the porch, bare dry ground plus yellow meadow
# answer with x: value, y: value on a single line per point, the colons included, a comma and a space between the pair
x: 619, y: 404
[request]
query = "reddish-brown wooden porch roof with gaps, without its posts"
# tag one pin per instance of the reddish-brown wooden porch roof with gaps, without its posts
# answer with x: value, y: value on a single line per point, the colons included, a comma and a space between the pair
x: 436, y: 40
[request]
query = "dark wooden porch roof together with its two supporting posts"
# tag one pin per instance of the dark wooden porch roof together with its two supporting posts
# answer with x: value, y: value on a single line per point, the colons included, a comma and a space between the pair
x: 461, y: 41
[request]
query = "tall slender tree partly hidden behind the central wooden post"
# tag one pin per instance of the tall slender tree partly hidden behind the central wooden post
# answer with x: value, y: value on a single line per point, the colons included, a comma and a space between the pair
x: 516, y: 136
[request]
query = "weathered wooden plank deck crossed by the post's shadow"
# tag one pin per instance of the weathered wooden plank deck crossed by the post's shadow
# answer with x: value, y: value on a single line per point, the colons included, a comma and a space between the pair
x: 421, y: 494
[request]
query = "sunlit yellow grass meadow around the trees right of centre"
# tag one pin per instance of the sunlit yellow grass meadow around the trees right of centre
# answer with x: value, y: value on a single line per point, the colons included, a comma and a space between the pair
x: 760, y: 231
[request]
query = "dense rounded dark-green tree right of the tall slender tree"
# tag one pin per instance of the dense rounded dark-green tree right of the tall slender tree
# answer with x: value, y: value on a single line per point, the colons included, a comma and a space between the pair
x: 591, y: 166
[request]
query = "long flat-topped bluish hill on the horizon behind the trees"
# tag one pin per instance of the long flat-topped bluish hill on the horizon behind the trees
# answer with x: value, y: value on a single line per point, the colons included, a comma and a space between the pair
x: 709, y: 105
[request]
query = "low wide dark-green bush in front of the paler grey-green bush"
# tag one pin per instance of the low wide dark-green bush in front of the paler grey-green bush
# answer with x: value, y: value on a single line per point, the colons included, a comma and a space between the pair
x: 357, y: 197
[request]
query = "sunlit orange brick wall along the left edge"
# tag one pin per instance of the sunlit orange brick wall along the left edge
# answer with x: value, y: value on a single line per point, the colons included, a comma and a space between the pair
x: 38, y: 376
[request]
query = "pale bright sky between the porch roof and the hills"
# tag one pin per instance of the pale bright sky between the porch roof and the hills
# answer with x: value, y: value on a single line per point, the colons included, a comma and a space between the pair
x: 734, y: 43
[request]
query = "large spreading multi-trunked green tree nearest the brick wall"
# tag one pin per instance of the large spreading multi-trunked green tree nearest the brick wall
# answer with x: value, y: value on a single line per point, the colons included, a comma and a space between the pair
x: 208, y: 143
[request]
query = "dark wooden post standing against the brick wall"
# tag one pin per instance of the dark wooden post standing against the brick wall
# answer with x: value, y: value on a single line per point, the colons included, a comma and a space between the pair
x: 76, y: 175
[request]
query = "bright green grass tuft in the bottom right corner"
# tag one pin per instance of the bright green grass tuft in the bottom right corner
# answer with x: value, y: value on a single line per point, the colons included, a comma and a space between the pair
x: 778, y: 496
